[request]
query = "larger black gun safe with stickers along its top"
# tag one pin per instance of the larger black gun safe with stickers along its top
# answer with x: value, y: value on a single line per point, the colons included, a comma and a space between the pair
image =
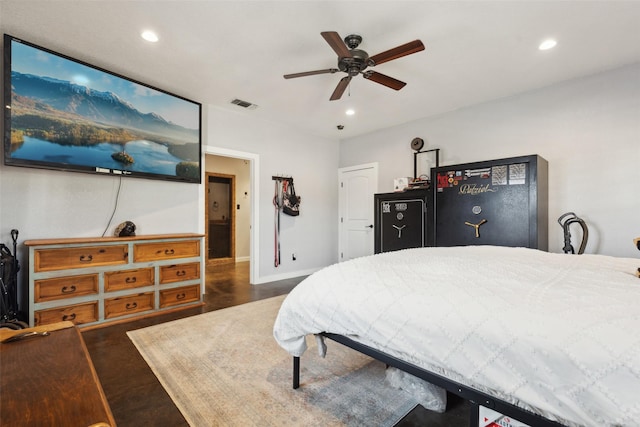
x: 499, y: 202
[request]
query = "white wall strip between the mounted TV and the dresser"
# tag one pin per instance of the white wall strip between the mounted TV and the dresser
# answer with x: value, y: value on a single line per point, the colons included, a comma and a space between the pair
x: 53, y: 204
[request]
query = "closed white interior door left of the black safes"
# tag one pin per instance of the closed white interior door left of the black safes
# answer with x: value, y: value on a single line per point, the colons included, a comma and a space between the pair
x: 357, y: 185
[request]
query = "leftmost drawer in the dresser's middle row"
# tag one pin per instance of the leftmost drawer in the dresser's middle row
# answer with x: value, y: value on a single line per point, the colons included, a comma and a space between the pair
x: 65, y: 287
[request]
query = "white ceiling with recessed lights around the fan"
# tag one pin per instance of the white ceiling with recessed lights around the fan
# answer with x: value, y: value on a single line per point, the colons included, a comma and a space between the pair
x: 217, y: 51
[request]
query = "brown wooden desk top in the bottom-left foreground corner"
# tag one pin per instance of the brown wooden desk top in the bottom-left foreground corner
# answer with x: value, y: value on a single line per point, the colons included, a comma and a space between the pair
x: 50, y: 380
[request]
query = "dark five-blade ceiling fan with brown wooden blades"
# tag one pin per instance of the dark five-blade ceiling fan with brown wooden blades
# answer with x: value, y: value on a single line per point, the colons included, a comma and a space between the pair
x: 354, y: 61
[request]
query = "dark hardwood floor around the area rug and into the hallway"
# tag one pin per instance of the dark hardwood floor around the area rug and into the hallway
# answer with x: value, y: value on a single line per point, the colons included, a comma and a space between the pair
x: 136, y: 396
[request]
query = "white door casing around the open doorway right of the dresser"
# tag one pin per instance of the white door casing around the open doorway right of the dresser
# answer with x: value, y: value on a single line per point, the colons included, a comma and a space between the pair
x: 254, y: 172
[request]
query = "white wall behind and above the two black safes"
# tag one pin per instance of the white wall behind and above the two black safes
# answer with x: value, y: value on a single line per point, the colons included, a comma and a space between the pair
x: 588, y: 129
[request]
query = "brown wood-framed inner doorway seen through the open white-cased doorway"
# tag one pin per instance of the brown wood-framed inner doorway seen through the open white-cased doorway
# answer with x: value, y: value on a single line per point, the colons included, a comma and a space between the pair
x: 220, y: 218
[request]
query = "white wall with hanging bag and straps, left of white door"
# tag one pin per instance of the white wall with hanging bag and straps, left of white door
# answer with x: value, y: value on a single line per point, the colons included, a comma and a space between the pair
x: 312, y: 162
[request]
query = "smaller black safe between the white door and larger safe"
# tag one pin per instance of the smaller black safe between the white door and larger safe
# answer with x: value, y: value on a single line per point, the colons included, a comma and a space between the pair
x: 401, y: 220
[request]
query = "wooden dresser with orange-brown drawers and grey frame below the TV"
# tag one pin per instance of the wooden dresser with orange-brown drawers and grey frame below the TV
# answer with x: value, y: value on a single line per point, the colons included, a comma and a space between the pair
x: 89, y: 281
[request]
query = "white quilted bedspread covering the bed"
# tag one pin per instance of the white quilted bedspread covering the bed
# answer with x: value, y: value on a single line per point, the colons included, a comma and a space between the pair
x: 553, y: 333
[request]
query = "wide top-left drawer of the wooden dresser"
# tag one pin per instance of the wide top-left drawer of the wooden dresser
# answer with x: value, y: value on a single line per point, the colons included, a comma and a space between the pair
x: 79, y: 257
